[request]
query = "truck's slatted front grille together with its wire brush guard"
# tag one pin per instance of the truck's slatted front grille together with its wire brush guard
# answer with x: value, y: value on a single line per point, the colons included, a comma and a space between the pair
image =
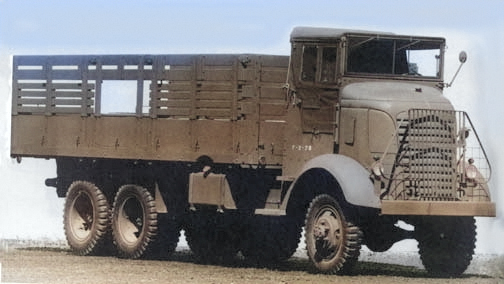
x: 434, y: 149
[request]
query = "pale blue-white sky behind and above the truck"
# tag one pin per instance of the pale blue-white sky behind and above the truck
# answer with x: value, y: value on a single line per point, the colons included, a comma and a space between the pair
x: 29, y: 209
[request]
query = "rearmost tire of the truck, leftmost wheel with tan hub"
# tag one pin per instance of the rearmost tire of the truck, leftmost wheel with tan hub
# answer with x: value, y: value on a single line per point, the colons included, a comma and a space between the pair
x: 86, y: 219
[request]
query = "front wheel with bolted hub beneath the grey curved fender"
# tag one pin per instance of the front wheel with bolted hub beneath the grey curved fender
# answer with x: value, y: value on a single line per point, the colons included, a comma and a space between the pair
x: 333, y: 244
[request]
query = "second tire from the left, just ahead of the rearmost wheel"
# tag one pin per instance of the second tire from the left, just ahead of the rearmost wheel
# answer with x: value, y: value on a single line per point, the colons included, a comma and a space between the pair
x: 134, y: 221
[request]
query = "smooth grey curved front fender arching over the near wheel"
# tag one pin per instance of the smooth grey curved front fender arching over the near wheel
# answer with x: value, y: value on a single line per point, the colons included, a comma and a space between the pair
x: 352, y: 177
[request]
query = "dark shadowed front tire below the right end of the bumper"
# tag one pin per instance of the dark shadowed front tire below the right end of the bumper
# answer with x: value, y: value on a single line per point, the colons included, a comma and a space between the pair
x: 446, y: 244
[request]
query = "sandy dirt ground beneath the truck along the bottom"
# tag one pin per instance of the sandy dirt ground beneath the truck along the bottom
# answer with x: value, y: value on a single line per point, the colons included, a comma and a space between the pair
x: 58, y: 265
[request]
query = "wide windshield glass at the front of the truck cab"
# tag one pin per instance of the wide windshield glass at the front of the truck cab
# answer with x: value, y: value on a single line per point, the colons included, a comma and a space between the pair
x: 394, y: 56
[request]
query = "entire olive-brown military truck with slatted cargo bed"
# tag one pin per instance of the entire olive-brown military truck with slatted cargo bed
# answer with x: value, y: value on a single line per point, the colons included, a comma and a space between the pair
x: 349, y: 138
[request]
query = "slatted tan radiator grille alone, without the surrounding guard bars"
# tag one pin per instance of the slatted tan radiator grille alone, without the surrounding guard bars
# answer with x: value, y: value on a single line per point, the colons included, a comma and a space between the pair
x: 430, y: 154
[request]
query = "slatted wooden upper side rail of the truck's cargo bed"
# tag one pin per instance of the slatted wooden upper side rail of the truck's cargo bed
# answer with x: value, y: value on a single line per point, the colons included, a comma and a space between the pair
x: 180, y: 86
